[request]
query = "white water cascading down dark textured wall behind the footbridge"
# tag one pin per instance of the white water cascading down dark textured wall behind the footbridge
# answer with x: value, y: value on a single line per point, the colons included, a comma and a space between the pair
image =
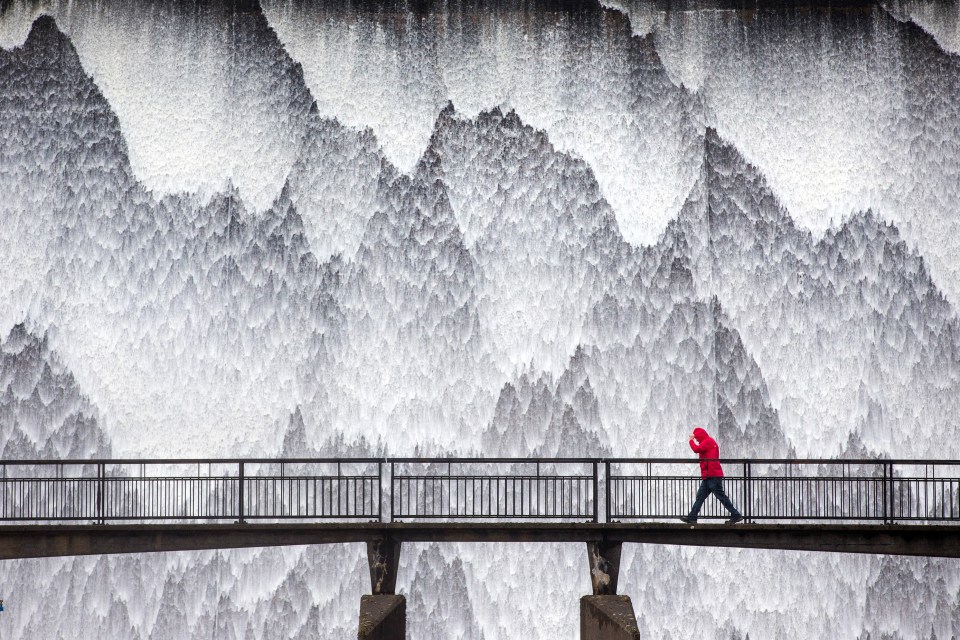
x: 233, y: 228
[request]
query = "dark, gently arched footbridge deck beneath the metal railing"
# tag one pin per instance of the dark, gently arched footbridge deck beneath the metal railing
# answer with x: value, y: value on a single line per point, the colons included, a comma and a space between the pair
x: 33, y: 541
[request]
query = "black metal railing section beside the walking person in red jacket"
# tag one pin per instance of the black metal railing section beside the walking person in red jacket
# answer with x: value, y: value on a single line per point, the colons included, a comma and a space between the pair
x: 790, y: 490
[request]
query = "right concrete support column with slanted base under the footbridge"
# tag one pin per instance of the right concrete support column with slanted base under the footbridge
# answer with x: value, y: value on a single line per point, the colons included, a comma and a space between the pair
x: 605, y: 615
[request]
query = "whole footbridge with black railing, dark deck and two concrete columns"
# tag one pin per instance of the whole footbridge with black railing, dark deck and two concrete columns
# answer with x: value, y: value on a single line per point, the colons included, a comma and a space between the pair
x: 78, y: 507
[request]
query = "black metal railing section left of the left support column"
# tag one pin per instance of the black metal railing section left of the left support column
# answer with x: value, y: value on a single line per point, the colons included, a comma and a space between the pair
x: 190, y: 490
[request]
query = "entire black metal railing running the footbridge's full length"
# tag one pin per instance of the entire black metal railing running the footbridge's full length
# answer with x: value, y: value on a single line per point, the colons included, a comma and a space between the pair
x: 472, y: 490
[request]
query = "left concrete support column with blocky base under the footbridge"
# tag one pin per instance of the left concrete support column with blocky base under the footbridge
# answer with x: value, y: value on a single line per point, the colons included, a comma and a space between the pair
x: 383, y: 614
